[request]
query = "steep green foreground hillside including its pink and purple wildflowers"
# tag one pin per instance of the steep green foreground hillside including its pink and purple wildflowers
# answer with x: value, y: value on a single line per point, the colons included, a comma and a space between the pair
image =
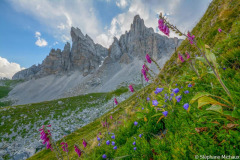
x: 190, y: 110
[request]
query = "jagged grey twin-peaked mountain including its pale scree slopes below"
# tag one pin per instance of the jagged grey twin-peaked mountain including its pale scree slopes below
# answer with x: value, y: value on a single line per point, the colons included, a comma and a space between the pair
x: 86, y: 67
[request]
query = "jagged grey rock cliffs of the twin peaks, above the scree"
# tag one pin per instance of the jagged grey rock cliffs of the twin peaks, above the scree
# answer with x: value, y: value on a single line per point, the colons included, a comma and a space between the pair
x: 87, y: 57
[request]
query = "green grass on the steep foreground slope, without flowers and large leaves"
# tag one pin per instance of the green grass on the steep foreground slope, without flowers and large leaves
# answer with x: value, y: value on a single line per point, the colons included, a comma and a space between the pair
x: 183, y: 139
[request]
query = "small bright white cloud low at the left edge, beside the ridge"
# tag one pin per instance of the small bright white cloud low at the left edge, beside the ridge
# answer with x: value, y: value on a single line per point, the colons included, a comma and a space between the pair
x: 8, y: 69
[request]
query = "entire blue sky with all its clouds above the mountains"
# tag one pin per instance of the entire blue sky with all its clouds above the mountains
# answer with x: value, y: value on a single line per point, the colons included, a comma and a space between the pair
x: 30, y: 28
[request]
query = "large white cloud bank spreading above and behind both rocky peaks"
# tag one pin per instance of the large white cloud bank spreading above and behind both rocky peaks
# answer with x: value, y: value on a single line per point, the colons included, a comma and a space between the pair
x: 59, y: 17
